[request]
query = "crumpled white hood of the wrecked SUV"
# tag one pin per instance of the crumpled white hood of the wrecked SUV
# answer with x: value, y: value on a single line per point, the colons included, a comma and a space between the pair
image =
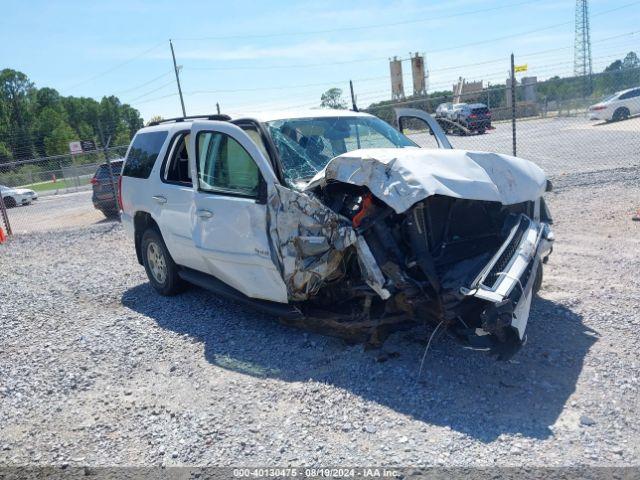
x: 400, y: 177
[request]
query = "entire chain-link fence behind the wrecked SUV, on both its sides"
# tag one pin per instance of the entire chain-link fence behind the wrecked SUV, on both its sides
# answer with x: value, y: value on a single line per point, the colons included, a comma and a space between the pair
x: 579, y: 130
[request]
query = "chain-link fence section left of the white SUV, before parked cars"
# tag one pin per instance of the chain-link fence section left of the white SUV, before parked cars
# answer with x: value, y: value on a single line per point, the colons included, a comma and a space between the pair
x: 60, y: 191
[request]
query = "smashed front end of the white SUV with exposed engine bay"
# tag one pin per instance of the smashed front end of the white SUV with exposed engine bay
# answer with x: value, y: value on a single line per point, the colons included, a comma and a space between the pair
x: 416, y: 254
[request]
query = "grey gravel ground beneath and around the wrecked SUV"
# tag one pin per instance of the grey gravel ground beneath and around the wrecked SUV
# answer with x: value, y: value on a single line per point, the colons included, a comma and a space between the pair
x: 96, y: 369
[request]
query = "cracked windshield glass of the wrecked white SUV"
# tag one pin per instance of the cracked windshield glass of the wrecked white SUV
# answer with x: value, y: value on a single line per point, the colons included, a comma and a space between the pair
x: 306, y: 145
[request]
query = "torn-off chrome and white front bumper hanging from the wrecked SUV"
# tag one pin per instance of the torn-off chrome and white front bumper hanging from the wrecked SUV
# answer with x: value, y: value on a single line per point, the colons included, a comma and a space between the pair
x: 506, y: 284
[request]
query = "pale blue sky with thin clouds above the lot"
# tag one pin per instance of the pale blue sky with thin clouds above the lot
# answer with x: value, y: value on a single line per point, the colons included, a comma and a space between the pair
x: 264, y: 55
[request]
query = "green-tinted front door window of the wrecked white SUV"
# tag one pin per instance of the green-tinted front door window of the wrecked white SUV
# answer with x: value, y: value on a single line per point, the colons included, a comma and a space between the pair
x: 224, y: 166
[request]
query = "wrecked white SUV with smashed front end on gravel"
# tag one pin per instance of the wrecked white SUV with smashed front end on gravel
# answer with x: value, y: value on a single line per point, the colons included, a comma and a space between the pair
x: 336, y: 221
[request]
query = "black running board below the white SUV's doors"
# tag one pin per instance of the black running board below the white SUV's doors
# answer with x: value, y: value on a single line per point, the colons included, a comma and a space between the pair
x: 211, y: 283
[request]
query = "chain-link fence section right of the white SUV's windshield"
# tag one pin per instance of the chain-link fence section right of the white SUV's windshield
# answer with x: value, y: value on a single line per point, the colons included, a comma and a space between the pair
x: 576, y: 138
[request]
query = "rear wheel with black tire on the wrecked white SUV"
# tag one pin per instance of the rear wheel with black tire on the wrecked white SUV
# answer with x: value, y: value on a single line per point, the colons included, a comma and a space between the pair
x: 160, y: 267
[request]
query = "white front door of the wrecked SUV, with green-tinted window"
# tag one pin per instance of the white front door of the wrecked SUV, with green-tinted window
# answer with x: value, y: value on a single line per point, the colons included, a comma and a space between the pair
x: 229, y: 219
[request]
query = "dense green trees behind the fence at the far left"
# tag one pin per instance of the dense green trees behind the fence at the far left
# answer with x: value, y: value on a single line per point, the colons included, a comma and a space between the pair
x: 38, y: 122
